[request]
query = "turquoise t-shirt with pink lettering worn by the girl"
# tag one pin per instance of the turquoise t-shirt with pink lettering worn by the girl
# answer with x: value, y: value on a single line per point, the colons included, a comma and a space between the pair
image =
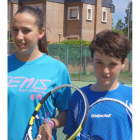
x: 28, y: 83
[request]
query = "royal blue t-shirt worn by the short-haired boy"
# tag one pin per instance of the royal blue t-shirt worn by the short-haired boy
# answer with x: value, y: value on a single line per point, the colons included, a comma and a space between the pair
x: 90, y: 130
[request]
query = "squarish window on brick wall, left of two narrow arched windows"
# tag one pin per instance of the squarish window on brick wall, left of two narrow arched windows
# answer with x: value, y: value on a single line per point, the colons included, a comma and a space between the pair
x: 73, y: 13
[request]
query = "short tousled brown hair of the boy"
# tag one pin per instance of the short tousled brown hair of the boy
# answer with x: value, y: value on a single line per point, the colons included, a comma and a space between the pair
x: 110, y: 43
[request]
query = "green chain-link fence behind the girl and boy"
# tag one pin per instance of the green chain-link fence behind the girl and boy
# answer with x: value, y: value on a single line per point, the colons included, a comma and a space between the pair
x: 79, y: 64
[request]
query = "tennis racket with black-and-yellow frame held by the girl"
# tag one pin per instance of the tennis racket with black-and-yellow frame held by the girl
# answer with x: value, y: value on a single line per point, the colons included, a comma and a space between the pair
x: 37, y: 120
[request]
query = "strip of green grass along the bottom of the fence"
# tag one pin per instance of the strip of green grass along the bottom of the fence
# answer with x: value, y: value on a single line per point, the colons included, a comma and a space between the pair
x: 124, y: 77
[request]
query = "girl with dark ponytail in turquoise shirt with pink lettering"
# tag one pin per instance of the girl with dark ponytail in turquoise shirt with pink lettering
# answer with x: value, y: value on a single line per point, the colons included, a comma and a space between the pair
x: 32, y: 74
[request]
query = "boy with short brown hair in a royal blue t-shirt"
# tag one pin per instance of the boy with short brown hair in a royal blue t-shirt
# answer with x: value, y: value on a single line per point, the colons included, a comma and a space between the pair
x: 108, y: 57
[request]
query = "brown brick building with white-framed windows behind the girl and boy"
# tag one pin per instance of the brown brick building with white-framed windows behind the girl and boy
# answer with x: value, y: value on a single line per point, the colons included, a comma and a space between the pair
x: 71, y: 18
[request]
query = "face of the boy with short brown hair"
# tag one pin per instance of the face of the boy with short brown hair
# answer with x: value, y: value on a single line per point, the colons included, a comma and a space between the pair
x: 106, y: 68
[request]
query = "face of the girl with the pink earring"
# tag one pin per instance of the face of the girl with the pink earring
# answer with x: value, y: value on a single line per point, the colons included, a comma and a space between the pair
x: 25, y: 33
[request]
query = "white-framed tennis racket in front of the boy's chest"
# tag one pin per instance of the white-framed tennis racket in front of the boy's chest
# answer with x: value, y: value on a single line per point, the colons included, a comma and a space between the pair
x: 108, y: 119
